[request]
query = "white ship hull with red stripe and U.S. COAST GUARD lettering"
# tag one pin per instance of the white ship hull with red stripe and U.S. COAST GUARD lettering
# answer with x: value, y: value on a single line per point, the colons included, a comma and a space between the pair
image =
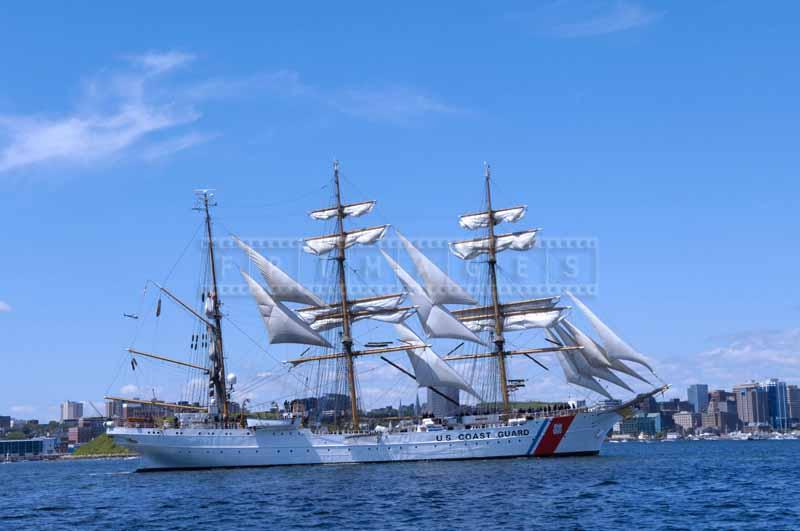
x: 164, y: 449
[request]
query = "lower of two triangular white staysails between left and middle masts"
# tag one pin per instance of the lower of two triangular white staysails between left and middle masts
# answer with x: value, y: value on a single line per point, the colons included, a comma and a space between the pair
x: 282, y: 324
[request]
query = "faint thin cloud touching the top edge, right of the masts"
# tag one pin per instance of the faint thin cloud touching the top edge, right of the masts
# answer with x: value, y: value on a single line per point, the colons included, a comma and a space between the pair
x: 573, y: 18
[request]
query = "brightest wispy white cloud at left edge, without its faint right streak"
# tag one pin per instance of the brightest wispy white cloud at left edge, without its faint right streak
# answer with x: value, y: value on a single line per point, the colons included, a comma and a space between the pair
x: 115, y: 113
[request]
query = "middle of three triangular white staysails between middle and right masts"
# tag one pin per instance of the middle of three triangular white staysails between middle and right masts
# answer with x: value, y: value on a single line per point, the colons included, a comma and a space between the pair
x: 435, y: 319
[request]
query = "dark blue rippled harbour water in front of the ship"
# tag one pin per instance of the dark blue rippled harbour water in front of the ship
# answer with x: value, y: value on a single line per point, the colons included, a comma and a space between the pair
x: 680, y: 485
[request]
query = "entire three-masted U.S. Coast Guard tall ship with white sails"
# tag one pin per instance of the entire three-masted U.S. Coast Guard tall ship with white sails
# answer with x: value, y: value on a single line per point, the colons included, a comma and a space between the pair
x: 475, y: 415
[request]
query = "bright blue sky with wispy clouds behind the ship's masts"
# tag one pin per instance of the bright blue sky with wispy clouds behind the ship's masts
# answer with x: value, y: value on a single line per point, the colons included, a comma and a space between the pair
x: 660, y: 136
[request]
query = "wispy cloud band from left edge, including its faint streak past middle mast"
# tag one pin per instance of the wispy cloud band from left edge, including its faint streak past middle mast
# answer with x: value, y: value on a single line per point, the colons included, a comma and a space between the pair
x: 130, y: 105
